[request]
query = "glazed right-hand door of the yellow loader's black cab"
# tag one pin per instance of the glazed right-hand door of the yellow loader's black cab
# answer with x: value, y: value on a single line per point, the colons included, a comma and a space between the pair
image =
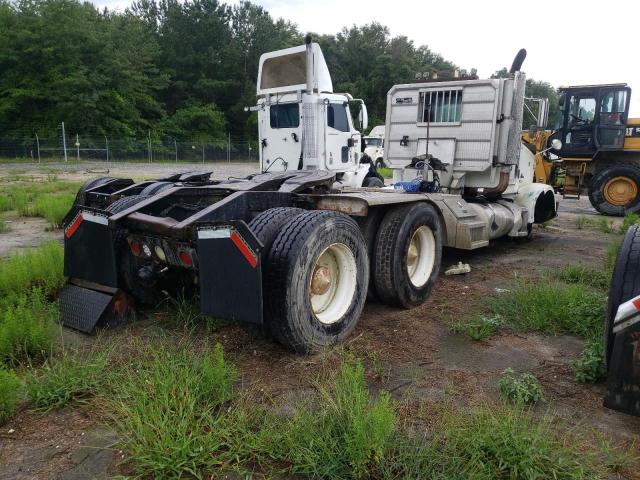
x: 612, y: 122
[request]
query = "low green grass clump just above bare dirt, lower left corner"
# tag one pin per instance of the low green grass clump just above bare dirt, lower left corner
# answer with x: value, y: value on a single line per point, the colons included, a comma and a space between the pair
x: 66, y: 379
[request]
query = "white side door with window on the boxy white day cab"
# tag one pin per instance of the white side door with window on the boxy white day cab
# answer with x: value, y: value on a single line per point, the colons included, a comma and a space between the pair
x: 340, y: 151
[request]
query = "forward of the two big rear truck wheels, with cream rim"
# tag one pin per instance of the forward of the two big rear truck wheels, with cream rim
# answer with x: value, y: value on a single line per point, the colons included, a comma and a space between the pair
x: 408, y: 252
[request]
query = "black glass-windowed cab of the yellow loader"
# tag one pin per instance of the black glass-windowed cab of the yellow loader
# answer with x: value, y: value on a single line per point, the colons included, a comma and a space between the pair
x: 594, y: 119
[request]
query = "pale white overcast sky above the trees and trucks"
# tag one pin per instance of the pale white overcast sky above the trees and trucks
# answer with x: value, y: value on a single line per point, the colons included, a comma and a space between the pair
x: 568, y: 42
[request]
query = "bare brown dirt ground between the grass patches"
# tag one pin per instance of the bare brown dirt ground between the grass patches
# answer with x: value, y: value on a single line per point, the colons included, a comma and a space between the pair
x: 411, y: 352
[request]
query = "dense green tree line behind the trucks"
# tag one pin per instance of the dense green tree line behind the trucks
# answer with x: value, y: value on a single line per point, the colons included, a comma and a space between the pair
x: 165, y: 68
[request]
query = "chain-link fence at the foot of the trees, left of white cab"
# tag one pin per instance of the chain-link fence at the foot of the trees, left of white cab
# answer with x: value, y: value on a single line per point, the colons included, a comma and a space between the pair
x: 77, y: 148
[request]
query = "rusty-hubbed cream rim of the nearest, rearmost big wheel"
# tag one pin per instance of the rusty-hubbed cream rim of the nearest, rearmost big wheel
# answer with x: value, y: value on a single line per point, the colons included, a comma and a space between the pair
x: 332, y: 284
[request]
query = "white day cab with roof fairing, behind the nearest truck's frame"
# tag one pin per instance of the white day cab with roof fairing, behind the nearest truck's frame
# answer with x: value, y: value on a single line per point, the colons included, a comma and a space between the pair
x: 302, y: 123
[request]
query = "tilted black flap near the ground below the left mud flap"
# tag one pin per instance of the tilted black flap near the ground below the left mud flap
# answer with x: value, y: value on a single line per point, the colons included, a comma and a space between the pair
x: 85, y: 309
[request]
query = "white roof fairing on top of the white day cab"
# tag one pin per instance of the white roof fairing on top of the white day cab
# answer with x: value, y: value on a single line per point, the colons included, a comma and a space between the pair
x: 284, y: 71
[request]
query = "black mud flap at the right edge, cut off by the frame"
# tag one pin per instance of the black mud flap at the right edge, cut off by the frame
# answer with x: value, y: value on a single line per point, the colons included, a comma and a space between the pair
x: 623, y: 389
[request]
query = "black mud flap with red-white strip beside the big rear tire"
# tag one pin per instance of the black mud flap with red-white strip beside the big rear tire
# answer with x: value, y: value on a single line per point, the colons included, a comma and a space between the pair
x: 230, y: 272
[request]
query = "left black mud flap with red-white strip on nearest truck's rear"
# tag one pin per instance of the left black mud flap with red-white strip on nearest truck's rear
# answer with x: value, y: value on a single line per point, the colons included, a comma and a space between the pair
x: 89, y: 250
